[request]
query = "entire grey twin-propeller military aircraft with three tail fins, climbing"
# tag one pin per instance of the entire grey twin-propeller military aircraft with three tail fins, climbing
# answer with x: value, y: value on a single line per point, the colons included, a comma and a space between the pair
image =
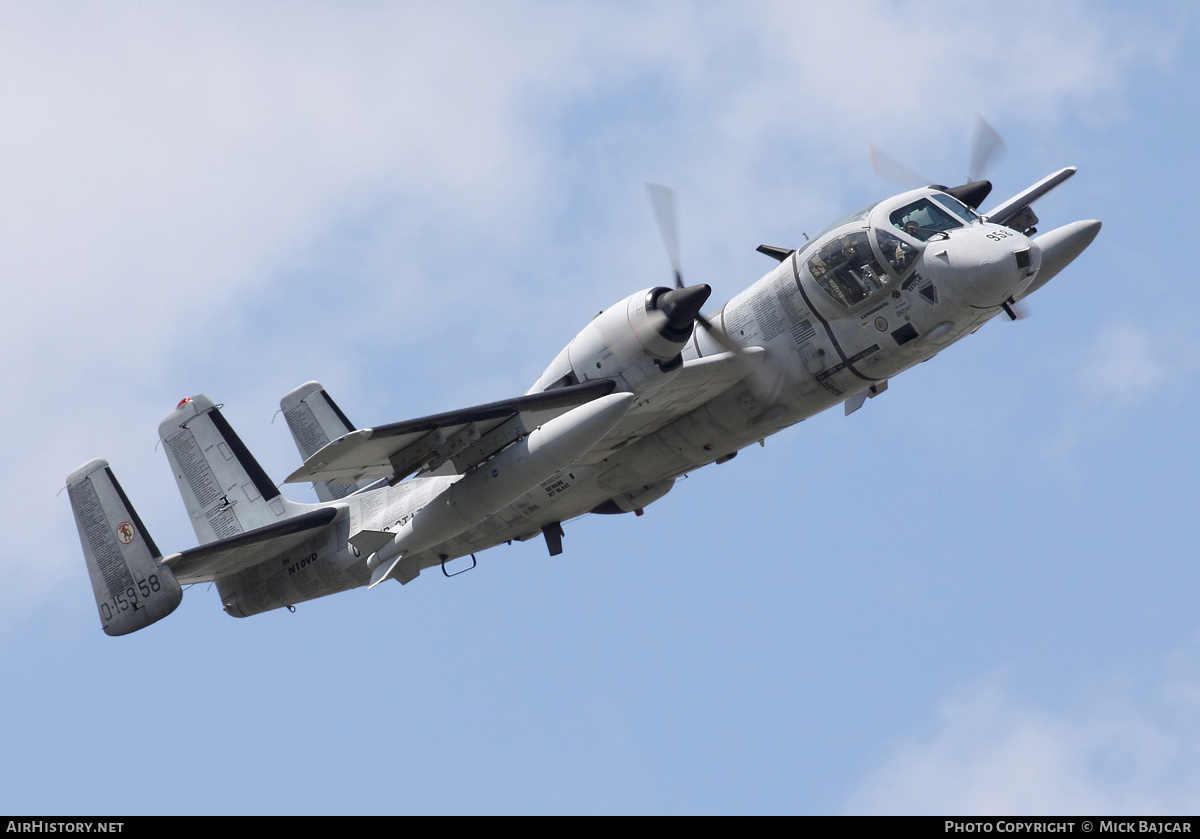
x: 650, y: 391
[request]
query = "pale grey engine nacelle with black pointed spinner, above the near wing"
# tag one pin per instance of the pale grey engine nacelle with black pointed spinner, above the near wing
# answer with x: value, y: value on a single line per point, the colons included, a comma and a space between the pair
x: 635, y: 343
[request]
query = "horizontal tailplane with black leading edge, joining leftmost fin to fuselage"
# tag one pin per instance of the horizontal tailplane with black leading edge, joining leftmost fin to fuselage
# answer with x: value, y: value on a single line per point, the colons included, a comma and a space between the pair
x: 229, y: 556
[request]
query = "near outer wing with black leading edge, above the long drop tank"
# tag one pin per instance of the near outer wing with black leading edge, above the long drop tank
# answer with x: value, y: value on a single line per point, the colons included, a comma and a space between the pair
x: 463, y: 439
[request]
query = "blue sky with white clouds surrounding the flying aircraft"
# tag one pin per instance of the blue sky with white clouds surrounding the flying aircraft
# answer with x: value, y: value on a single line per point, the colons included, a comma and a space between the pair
x: 974, y: 596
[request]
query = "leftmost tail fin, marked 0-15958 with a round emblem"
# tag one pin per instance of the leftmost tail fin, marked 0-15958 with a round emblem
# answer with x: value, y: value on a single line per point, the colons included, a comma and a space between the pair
x: 133, y: 591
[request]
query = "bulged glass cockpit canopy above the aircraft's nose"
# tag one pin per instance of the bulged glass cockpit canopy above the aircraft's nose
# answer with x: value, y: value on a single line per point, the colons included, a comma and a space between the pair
x: 861, y: 263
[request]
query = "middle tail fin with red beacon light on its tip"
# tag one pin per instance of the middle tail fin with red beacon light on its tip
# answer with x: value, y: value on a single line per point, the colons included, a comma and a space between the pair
x: 225, y: 489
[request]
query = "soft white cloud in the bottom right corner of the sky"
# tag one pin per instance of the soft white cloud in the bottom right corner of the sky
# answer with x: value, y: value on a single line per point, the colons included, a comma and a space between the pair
x: 993, y: 753
